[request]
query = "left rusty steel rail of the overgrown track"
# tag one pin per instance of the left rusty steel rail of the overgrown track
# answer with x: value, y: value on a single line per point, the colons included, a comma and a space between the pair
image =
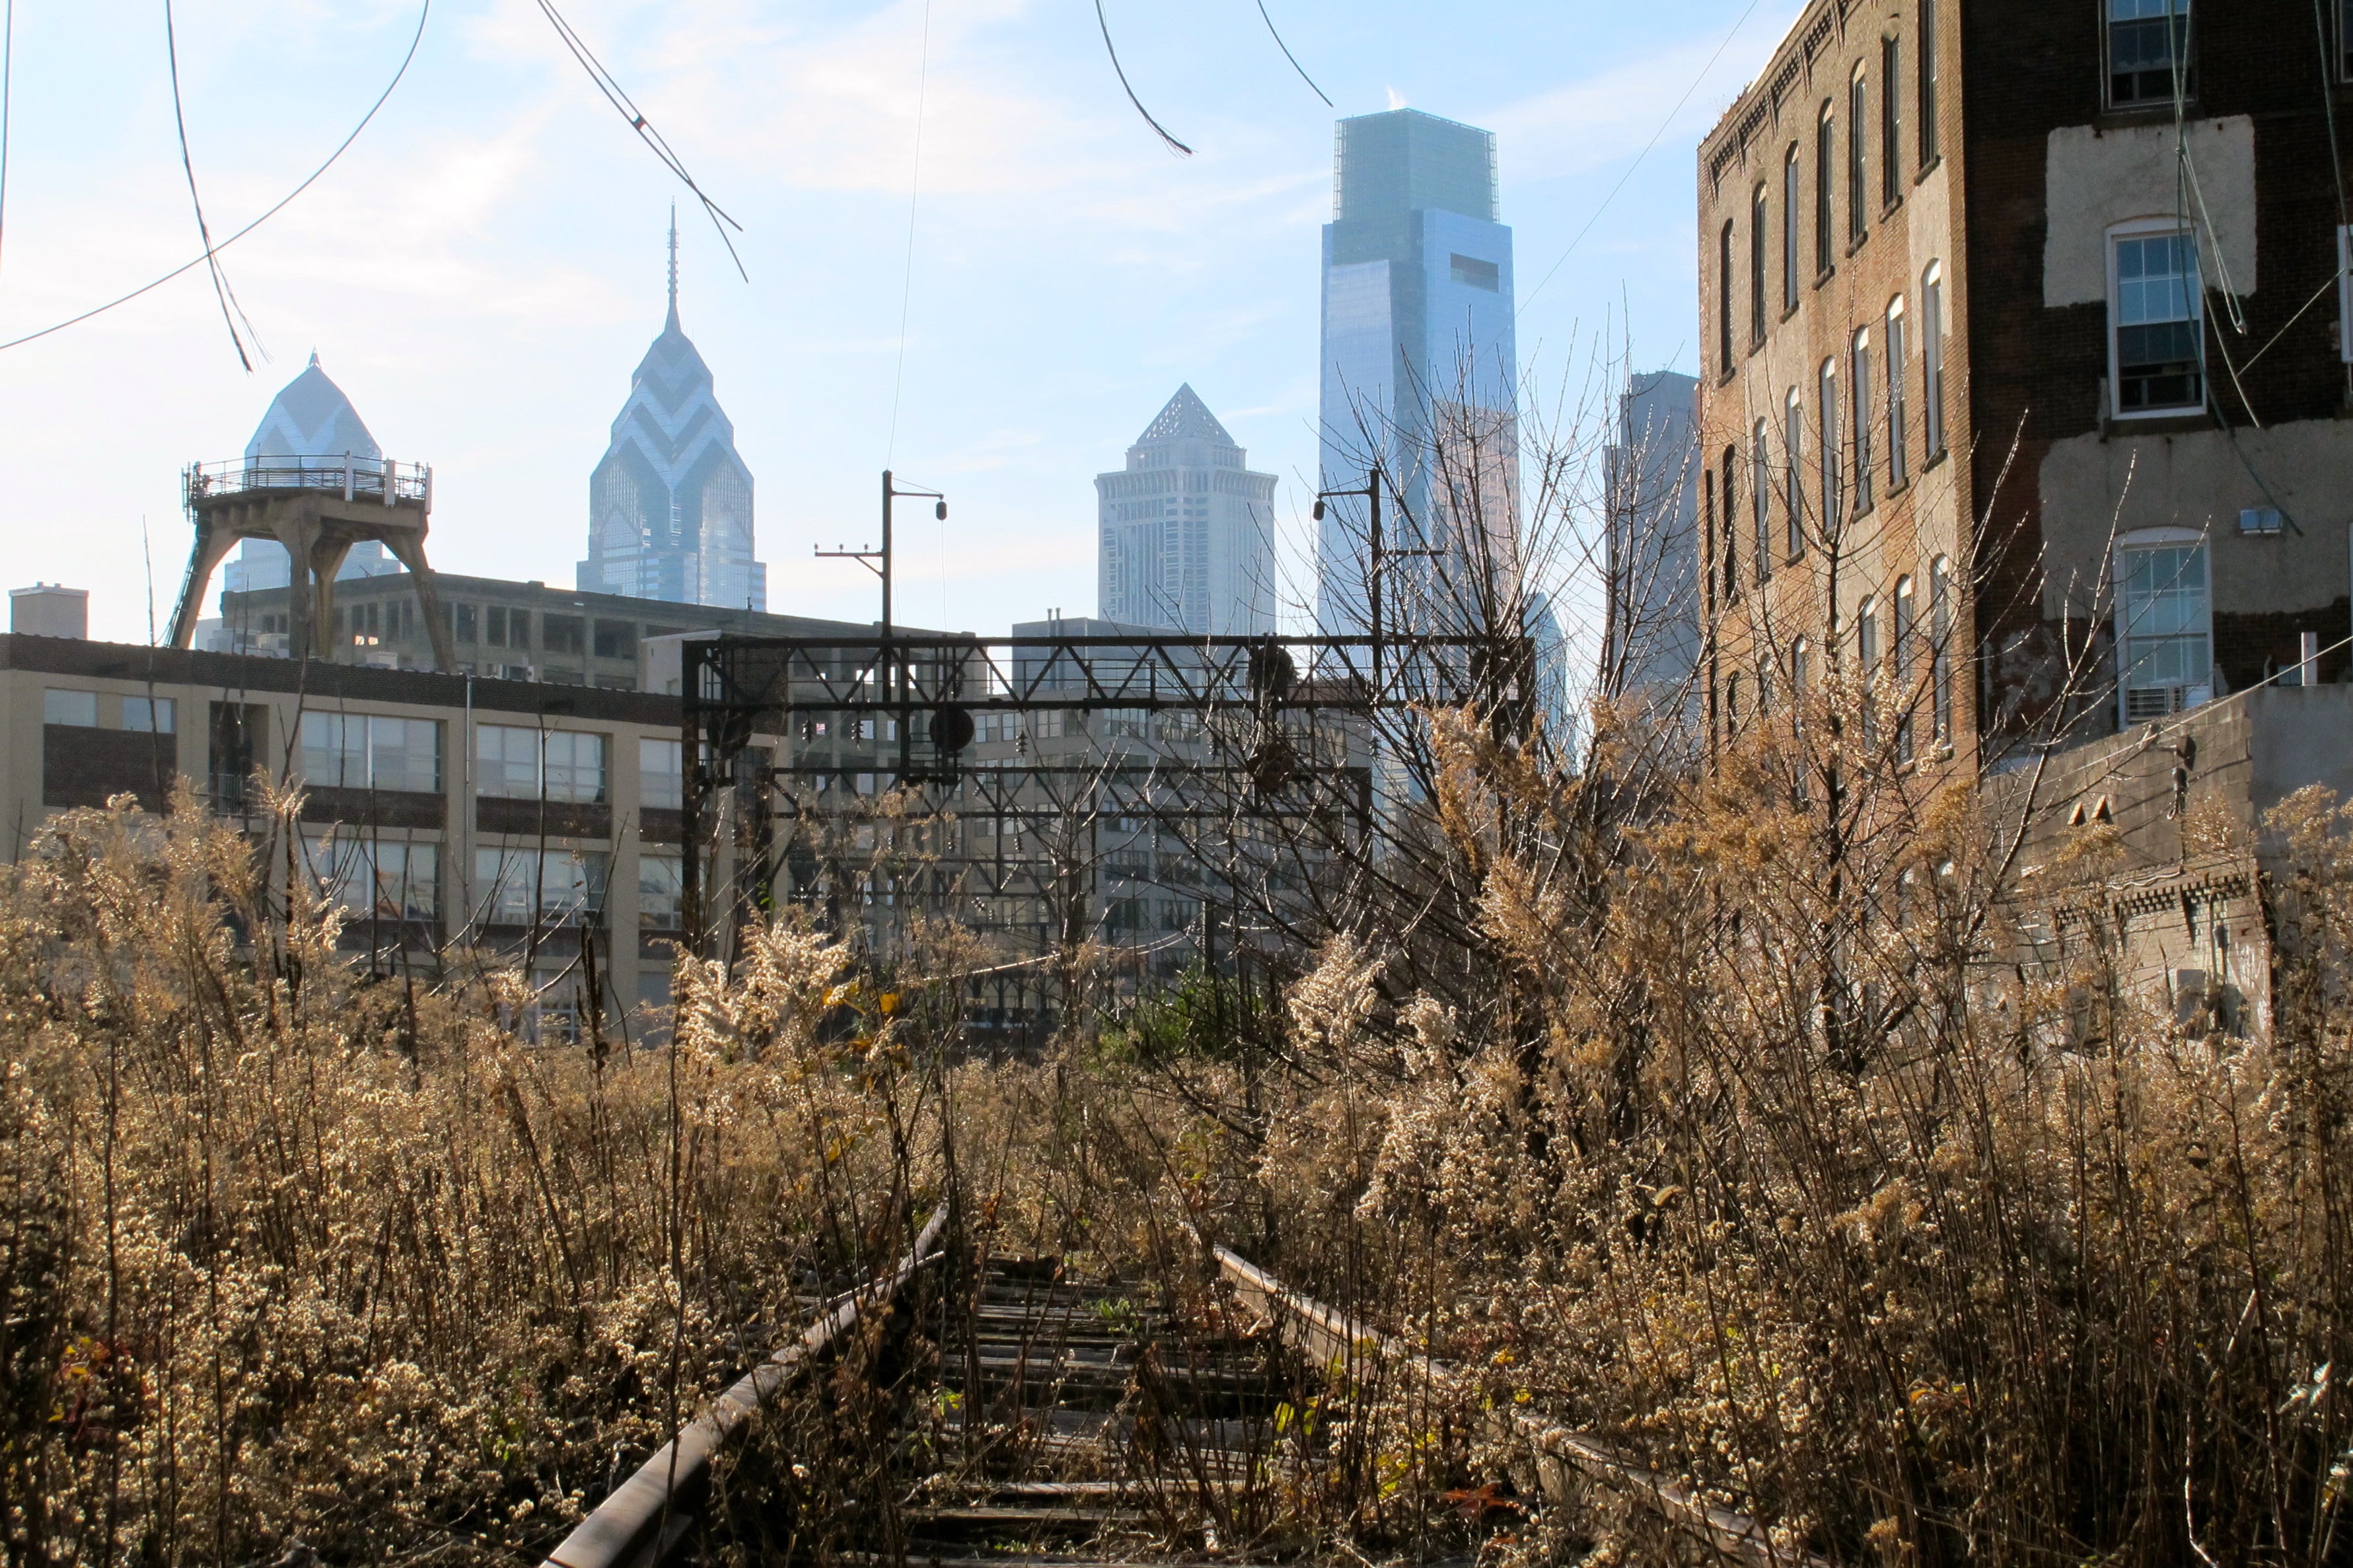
x: 651, y: 1513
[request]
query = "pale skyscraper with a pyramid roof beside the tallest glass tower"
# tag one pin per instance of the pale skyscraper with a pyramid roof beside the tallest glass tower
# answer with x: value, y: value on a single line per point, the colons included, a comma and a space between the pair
x: 1187, y: 531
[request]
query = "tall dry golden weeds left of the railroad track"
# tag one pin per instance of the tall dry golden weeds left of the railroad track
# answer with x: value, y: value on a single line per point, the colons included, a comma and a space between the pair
x: 293, y: 1254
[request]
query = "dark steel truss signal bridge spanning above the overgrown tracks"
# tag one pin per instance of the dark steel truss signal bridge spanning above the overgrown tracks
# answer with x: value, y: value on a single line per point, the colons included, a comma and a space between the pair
x: 1265, y: 691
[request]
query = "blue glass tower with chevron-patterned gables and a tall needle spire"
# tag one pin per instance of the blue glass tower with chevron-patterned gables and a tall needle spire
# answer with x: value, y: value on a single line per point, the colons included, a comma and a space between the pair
x: 669, y: 507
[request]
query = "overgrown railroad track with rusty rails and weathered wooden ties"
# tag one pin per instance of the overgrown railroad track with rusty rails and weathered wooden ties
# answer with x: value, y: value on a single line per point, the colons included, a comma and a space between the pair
x: 1034, y: 1418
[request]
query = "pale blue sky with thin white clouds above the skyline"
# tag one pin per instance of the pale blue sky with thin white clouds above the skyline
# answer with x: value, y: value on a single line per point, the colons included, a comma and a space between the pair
x: 992, y: 307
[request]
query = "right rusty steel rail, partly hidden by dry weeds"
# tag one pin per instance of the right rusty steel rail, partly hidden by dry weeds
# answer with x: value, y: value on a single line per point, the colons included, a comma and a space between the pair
x: 1342, y: 1341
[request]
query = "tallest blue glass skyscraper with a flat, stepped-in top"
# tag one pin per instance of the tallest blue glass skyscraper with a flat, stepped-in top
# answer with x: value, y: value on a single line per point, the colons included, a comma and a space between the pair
x: 1420, y: 366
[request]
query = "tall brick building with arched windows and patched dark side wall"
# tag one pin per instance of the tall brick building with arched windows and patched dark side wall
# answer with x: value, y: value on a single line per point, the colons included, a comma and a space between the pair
x: 2027, y: 364
